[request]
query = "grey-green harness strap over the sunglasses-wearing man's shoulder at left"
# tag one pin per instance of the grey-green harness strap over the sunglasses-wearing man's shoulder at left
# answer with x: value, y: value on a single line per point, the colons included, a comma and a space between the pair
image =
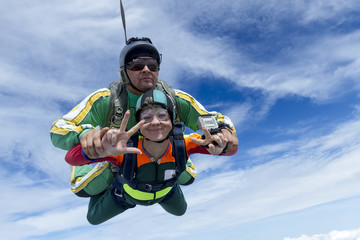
x: 117, y: 105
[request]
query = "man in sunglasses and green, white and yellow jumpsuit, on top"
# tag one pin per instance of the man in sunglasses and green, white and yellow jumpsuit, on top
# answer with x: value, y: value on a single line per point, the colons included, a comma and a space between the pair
x: 88, y: 122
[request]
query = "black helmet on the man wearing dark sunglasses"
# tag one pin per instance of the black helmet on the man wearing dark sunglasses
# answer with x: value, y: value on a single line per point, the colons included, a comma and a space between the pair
x: 136, y: 47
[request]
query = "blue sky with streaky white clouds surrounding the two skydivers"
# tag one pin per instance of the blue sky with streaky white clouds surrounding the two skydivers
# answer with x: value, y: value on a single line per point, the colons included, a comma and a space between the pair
x: 285, y: 72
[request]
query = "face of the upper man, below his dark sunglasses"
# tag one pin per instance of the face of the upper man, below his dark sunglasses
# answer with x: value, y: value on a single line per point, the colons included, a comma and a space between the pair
x: 144, y: 79
